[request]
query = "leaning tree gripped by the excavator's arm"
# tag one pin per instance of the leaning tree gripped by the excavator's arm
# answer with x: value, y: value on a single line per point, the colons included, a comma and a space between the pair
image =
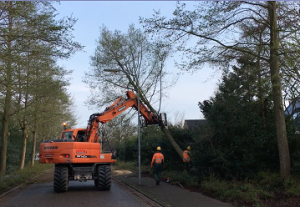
x: 140, y: 65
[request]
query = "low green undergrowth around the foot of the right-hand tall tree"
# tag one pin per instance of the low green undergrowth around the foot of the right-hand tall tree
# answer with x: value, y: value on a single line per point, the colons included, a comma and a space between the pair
x: 266, y: 189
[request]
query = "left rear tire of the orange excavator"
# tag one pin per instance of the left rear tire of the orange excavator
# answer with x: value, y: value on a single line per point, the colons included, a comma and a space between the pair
x: 60, y: 179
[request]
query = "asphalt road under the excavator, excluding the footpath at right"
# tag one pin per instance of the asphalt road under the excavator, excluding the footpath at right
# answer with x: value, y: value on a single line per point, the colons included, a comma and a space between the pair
x: 79, y: 194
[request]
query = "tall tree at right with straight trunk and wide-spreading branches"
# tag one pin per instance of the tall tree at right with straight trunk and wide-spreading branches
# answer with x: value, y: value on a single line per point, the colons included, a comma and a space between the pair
x: 216, y: 27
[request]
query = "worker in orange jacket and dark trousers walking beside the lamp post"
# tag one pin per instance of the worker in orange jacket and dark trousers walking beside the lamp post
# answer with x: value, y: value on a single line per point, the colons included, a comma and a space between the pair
x: 158, y: 161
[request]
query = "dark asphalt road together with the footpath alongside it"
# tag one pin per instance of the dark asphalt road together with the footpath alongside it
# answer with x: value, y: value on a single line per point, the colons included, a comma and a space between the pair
x: 41, y: 193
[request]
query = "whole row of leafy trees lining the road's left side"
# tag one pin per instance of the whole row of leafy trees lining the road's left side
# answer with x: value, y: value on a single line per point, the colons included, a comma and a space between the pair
x: 33, y: 89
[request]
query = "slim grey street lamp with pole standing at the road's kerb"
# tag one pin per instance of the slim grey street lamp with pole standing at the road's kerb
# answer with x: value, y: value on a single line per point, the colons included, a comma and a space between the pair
x: 139, y: 139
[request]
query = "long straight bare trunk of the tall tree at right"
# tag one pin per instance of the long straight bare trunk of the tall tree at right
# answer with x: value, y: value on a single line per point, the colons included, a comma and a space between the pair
x: 284, y: 157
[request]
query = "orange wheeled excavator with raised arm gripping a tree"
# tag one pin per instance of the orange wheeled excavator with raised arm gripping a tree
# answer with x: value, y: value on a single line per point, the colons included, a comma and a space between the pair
x: 77, y: 155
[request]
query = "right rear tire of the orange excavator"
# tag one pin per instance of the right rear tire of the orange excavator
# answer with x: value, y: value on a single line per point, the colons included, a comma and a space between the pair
x: 104, y: 177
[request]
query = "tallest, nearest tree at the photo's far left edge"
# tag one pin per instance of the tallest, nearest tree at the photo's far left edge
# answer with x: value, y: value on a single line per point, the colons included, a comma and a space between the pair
x: 23, y: 24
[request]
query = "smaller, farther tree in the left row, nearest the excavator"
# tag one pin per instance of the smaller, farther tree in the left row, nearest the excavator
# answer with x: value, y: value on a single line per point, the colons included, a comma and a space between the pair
x: 49, y: 102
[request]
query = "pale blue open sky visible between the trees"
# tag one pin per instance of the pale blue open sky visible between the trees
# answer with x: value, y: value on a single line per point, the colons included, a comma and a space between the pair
x: 183, y: 97
